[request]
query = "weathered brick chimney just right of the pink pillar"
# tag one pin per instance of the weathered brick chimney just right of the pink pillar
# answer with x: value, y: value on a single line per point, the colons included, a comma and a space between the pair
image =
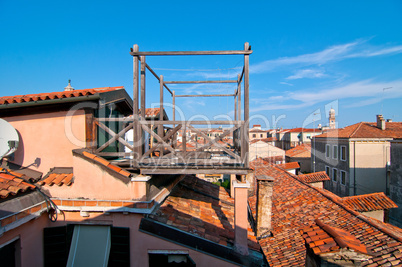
x: 264, y: 205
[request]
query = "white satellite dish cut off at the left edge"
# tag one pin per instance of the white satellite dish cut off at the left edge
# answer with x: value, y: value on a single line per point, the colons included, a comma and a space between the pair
x: 8, y: 139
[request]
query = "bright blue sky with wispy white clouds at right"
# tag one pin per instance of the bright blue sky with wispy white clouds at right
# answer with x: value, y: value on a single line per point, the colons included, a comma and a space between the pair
x: 308, y: 56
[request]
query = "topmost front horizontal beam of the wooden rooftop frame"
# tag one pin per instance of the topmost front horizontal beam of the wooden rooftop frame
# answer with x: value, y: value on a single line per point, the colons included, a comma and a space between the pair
x: 191, y: 53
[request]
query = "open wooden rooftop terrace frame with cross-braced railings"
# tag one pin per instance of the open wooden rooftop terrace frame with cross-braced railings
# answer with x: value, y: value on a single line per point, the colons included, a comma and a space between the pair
x: 172, y: 159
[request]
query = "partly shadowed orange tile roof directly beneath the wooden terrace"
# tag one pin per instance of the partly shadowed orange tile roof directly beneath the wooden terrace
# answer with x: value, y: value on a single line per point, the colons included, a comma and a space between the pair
x: 203, y: 209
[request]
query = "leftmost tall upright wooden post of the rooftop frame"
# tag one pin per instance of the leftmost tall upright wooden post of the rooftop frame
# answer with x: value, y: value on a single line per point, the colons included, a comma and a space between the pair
x: 137, y: 126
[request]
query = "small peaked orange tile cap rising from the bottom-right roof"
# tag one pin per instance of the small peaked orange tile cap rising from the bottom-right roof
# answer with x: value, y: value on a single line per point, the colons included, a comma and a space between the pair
x: 323, y: 238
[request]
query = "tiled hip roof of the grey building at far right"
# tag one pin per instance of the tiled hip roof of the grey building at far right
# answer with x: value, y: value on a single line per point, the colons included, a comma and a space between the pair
x: 366, y: 130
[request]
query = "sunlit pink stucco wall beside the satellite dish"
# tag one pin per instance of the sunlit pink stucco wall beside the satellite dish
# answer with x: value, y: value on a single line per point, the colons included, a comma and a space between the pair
x: 46, y: 140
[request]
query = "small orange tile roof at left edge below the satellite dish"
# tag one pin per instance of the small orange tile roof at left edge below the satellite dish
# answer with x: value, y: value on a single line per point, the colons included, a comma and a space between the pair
x: 12, y: 183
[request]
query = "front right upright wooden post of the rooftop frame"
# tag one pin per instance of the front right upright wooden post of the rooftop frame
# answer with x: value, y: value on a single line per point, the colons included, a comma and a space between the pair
x: 245, y: 144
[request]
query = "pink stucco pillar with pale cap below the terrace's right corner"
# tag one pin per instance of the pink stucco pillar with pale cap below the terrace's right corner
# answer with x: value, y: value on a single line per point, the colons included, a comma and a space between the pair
x: 241, y: 216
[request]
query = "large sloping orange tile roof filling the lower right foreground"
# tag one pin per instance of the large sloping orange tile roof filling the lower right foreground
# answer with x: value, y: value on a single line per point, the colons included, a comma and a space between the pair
x: 297, y: 205
